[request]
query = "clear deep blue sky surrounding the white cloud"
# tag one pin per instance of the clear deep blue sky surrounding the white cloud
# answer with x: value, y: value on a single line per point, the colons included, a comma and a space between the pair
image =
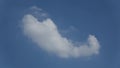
x: 96, y: 17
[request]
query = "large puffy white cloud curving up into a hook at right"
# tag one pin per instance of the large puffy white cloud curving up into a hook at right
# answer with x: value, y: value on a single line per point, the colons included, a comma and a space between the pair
x: 46, y: 35
